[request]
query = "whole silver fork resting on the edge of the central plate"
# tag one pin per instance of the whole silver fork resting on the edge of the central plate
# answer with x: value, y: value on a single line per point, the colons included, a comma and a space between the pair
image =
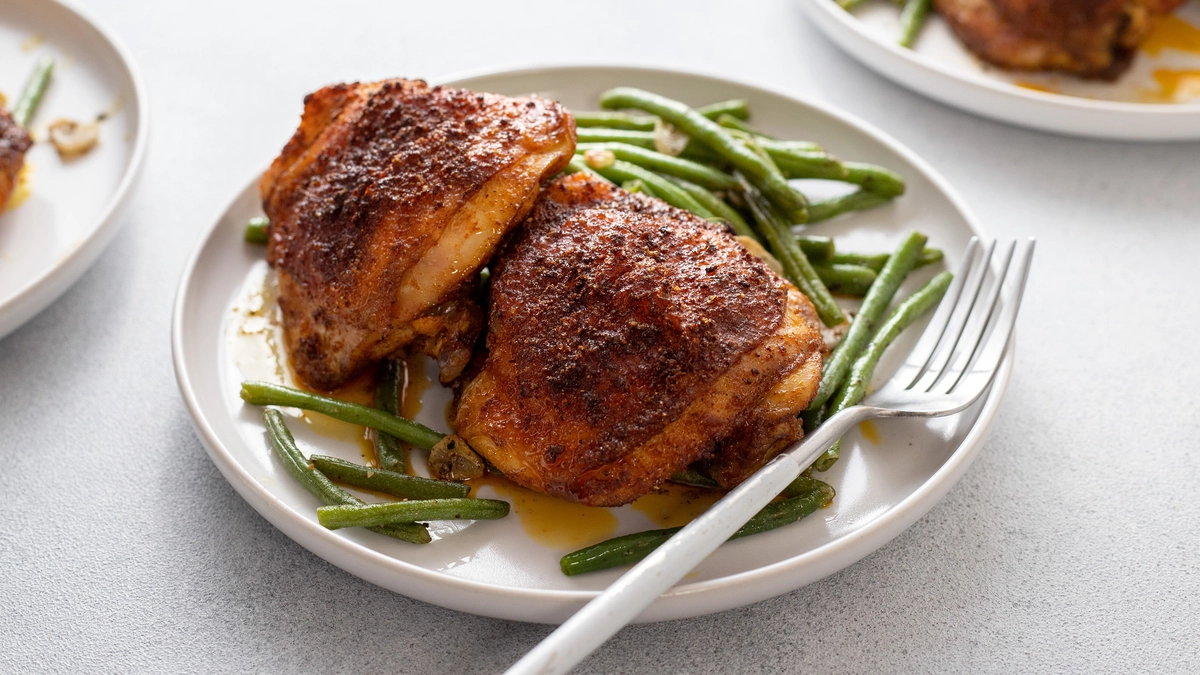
x: 952, y: 366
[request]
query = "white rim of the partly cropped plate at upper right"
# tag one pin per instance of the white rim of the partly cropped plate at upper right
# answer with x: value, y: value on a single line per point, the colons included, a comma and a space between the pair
x: 1108, y: 110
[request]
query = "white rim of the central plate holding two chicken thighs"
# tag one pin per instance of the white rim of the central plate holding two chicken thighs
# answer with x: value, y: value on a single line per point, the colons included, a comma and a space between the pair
x: 682, y: 601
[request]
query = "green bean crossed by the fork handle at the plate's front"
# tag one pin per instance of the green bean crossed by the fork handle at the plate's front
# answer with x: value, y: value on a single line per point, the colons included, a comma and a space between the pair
x: 633, y: 548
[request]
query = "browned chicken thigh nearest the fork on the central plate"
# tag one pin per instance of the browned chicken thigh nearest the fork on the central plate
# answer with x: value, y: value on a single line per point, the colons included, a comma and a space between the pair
x: 628, y: 339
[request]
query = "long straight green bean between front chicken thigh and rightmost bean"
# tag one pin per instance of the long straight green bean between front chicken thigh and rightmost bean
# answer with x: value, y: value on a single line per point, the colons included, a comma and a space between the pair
x: 868, y: 318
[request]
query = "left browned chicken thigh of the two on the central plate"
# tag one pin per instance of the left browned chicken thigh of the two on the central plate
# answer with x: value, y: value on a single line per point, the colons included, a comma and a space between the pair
x: 386, y: 205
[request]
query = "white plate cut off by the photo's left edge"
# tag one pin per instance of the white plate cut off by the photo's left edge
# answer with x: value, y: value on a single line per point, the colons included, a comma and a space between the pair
x: 74, y: 208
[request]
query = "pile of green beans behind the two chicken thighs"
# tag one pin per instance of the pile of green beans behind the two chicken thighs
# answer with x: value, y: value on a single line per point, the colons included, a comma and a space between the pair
x: 731, y: 172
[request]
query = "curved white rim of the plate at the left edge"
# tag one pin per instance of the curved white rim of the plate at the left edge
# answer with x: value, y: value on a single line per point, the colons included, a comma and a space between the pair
x: 40, y: 292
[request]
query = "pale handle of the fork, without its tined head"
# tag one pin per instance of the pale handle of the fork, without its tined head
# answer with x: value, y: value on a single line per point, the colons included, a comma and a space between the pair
x: 635, y: 590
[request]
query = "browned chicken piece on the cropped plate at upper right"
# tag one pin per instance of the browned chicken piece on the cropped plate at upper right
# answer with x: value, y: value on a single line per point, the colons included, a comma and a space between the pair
x: 1094, y: 39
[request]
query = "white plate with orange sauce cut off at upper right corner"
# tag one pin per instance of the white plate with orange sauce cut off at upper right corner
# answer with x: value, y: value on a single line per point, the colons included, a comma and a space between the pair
x: 941, y: 68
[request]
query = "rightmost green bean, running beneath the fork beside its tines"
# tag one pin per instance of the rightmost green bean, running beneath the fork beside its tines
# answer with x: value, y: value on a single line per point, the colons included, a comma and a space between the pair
x: 855, y: 389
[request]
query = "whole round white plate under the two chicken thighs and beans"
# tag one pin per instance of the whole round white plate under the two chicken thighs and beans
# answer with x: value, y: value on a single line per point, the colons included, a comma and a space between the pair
x: 495, y: 569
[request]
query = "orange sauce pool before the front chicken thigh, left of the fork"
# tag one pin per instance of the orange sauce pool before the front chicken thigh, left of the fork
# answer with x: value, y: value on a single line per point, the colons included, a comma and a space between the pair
x: 553, y: 523
